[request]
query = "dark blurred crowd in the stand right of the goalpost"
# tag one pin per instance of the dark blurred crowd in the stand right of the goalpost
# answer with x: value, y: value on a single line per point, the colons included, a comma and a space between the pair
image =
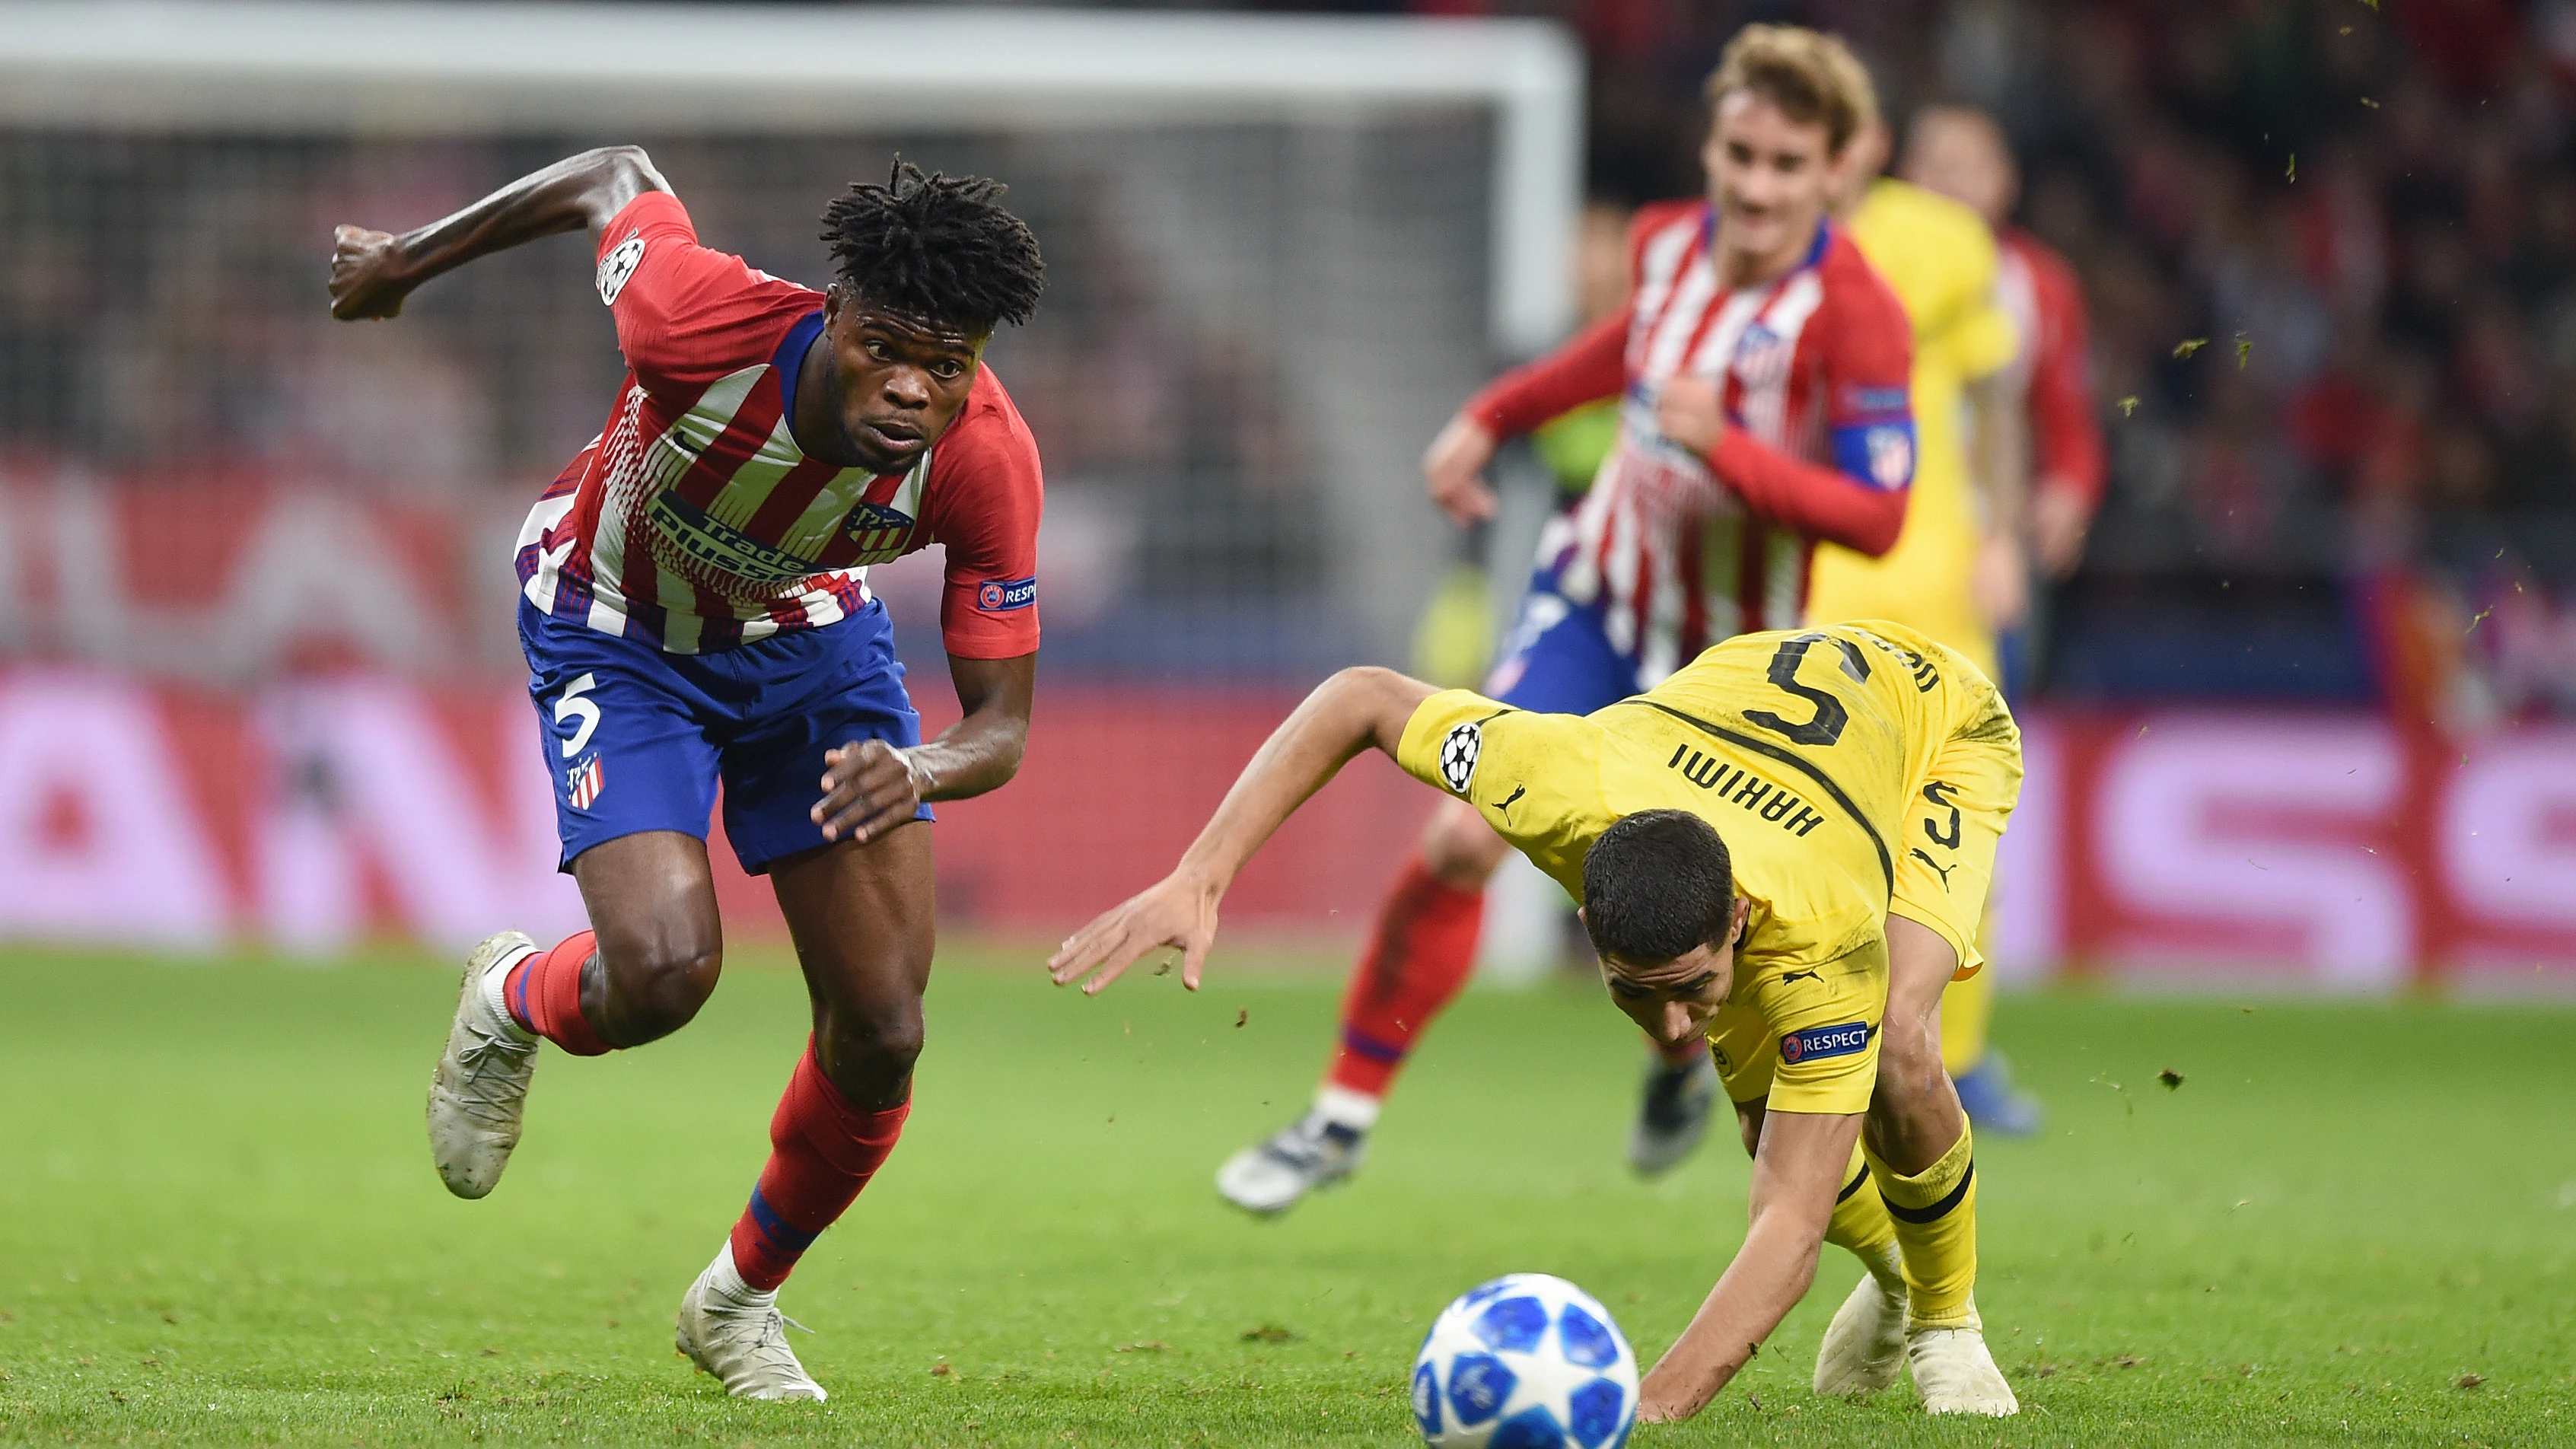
x: 2361, y: 483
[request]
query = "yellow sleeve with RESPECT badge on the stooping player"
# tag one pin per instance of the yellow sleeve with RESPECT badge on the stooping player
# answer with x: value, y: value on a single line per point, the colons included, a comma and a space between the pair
x: 1807, y: 1040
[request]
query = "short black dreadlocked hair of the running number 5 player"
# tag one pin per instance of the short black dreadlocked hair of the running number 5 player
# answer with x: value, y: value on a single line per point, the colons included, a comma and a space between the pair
x: 936, y: 249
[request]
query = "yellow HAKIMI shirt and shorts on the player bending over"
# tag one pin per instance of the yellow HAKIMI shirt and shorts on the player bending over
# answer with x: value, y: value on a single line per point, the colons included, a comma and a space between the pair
x: 1851, y: 772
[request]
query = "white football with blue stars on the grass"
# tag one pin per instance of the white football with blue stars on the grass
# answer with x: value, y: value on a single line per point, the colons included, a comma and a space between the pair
x: 1526, y: 1363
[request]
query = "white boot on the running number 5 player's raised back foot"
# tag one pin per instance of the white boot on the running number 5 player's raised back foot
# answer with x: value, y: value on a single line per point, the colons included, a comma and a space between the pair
x: 480, y: 1087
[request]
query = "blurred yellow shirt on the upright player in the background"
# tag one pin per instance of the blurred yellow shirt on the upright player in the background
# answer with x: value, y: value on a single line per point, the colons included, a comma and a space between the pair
x: 1938, y: 257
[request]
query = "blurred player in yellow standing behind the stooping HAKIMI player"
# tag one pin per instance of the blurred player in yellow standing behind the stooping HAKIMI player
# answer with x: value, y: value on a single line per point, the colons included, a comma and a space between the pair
x: 1956, y: 569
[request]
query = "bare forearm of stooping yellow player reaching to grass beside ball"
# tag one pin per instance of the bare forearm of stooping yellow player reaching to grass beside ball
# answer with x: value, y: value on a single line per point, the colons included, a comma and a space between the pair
x: 1797, y: 1174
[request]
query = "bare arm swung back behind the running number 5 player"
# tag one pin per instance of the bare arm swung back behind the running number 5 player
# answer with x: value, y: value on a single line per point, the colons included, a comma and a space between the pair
x: 372, y: 272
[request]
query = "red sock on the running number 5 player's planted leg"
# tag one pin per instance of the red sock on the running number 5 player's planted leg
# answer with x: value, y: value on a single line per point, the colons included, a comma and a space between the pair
x: 823, y: 1151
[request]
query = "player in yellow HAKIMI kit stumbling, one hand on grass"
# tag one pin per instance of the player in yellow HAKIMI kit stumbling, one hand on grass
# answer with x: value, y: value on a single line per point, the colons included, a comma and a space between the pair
x: 1786, y: 850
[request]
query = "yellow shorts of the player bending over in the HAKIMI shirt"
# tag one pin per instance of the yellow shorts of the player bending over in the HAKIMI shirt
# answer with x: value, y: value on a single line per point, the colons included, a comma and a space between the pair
x: 1956, y: 811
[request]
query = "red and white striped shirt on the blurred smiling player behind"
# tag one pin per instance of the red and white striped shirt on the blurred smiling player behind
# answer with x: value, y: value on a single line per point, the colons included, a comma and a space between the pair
x: 1683, y: 550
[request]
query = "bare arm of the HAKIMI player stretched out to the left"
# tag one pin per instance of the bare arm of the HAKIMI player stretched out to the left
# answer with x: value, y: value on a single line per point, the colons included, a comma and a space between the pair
x: 1349, y: 713
